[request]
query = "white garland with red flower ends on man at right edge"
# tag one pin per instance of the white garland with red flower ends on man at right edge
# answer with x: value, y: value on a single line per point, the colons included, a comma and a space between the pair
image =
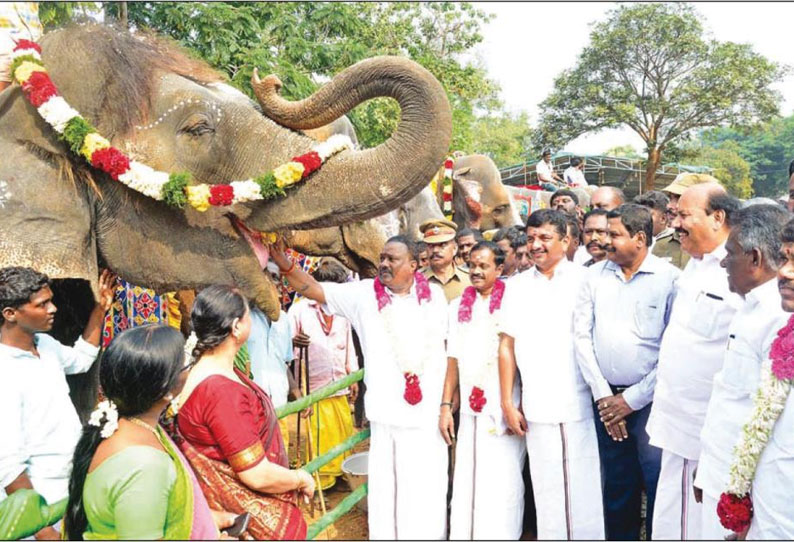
x: 735, y: 507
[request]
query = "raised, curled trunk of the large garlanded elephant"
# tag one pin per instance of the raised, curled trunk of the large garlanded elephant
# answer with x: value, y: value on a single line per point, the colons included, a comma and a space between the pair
x: 358, y: 185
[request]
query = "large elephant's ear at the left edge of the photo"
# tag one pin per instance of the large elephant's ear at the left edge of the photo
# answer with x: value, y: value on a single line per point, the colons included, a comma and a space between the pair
x: 46, y: 208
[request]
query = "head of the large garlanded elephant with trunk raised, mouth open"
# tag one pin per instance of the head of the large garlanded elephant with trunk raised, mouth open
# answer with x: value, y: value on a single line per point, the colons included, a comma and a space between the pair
x: 173, y: 113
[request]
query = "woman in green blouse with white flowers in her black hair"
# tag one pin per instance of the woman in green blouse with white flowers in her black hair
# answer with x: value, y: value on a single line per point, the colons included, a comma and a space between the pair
x: 129, y: 480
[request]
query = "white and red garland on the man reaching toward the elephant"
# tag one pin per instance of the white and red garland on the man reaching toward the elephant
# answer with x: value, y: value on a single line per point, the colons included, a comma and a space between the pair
x: 411, y: 366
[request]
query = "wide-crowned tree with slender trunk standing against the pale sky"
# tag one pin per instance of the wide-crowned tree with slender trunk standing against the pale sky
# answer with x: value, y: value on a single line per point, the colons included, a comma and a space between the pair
x: 650, y: 67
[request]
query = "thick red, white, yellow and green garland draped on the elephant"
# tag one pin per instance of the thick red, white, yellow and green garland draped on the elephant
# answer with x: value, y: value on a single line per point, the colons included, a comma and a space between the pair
x: 175, y: 189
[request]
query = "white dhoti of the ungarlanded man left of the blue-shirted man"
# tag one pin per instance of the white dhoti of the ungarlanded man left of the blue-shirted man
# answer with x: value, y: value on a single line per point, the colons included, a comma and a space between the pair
x: 566, y: 480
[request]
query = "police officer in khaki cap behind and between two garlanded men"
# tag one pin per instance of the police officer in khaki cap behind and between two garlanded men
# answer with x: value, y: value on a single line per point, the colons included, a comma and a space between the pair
x: 439, y: 234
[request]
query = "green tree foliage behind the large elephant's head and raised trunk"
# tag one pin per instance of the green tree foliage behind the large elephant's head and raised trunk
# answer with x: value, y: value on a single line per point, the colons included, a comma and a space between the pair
x: 307, y: 43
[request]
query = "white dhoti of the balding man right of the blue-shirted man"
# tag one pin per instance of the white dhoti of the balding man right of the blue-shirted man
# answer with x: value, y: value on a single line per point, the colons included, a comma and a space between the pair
x: 676, y: 515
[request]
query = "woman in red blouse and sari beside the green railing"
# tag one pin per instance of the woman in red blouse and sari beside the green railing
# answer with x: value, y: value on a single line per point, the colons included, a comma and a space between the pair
x: 227, y: 427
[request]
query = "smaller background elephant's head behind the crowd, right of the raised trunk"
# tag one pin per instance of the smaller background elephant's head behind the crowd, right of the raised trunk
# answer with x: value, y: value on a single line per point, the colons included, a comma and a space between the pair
x: 479, y: 197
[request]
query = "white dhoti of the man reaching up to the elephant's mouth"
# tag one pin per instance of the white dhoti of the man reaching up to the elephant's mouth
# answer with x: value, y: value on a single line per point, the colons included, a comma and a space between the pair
x: 407, y: 483
